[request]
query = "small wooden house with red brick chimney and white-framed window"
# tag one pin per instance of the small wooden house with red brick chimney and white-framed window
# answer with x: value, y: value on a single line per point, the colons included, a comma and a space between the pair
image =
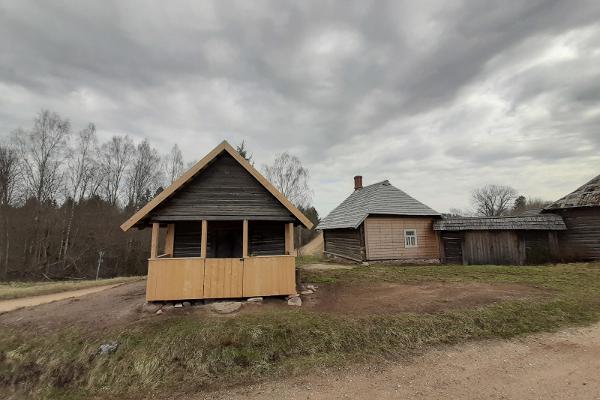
x: 380, y: 222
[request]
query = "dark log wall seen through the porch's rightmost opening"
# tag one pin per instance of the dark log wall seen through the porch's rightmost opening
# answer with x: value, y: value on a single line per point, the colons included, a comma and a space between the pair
x: 266, y: 238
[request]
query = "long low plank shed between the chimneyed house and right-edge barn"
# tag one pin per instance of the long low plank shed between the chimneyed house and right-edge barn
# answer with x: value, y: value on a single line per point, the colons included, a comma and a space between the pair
x: 529, y: 239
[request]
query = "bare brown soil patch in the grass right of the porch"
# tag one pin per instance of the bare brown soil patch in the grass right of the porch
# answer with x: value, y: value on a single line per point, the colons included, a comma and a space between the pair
x: 420, y: 298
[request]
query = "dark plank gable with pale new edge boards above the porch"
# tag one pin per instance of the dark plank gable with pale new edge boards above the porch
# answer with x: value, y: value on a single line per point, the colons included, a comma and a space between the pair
x: 253, y: 204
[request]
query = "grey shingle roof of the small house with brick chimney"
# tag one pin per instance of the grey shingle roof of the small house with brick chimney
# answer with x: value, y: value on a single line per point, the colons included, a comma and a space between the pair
x: 378, y: 198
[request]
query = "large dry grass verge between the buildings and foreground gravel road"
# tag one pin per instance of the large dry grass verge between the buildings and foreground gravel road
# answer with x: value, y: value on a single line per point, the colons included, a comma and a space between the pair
x: 187, y: 354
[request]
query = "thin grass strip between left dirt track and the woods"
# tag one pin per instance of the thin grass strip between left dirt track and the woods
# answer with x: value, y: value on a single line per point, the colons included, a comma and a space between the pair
x: 16, y: 290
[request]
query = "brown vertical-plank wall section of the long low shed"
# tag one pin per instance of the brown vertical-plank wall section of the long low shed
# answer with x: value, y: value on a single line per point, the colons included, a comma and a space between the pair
x: 493, y: 247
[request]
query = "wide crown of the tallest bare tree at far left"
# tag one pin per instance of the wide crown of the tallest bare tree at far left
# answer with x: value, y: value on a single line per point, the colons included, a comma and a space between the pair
x: 42, y: 155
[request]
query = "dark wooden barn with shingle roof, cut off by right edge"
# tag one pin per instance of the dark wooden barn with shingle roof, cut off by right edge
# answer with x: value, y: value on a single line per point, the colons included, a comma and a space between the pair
x: 581, y: 212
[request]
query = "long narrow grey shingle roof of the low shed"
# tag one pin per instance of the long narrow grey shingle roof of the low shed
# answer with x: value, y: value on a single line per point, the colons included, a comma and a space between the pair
x: 549, y: 222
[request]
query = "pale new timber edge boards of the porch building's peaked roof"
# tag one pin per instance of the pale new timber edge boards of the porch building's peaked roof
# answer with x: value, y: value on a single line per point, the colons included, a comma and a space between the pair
x: 198, y: 168
